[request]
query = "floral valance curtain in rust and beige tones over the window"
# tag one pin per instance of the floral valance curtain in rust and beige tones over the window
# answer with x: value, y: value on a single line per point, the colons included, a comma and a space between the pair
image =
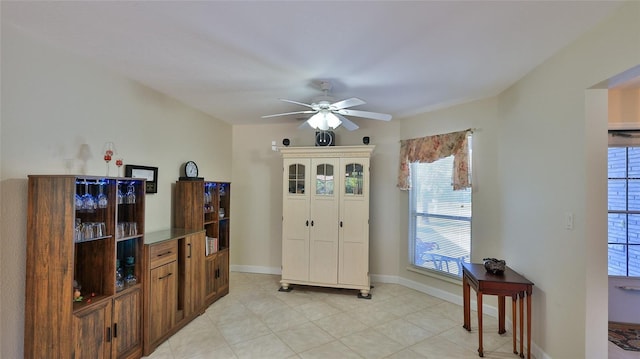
x: 432, y: 148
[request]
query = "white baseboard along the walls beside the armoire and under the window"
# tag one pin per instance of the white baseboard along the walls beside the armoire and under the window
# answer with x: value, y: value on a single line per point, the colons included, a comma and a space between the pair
x: 380, y: 278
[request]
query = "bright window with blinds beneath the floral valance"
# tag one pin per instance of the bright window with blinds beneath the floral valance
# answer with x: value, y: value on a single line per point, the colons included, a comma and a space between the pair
x: 440, y: 219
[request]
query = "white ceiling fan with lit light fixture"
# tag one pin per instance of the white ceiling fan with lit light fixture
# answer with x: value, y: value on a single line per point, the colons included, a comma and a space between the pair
x: 329, y: 115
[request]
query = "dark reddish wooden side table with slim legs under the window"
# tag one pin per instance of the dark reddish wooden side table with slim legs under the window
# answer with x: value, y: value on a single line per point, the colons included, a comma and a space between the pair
x: 510, y: 284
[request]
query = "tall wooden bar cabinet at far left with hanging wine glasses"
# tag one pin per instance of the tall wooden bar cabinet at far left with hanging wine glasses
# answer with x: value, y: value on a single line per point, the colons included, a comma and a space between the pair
x: 83, y: 273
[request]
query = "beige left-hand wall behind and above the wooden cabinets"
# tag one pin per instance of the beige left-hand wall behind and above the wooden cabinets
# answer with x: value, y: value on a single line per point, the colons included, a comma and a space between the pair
x: 53, y: 103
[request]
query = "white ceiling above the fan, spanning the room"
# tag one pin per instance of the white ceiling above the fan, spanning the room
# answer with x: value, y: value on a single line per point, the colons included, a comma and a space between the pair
x: 235, y: 59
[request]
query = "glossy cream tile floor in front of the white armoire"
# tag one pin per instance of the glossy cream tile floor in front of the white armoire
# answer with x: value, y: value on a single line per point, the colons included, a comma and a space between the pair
x: 256, y: 321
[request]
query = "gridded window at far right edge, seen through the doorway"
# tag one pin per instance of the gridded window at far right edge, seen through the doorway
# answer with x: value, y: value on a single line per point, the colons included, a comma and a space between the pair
x: 624, y: 211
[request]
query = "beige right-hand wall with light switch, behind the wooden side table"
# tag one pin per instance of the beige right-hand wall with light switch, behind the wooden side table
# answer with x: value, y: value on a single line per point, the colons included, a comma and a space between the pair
x: 552, y: 155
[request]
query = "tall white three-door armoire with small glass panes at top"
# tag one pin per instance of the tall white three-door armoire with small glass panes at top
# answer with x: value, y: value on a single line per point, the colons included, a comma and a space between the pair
x: 325, y: 217
